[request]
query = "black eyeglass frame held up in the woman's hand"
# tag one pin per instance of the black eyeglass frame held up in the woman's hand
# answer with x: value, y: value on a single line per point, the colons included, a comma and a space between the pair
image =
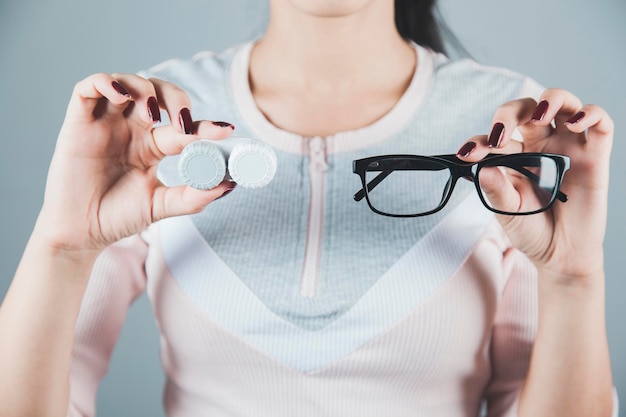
x: 460, y: 169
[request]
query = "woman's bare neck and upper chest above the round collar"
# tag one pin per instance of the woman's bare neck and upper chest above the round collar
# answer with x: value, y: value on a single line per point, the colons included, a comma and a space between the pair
x: 316, y: 74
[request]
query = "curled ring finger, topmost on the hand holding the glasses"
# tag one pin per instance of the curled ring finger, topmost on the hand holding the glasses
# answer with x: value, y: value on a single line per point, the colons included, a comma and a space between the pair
x: 555, y: 104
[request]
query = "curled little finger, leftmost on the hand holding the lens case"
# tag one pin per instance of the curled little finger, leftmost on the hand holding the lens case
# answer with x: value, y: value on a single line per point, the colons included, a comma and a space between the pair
x: 89, y: 93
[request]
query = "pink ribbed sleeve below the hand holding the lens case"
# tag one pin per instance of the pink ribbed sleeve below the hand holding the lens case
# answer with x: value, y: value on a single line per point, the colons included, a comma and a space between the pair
x: 117, y: 279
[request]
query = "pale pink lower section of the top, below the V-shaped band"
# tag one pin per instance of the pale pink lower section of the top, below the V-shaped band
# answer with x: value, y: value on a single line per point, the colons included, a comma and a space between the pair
x: 434, y: 361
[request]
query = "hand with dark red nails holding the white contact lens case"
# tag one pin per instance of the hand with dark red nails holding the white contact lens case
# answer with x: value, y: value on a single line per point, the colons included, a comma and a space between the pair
x: 102, y: 183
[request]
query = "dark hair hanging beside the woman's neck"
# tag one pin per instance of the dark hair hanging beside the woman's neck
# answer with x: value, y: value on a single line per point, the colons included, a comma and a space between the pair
x: 420, y: 21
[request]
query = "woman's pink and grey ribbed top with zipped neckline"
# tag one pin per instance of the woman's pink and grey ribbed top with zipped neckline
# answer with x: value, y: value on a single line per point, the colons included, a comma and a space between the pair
x: 415, y: 317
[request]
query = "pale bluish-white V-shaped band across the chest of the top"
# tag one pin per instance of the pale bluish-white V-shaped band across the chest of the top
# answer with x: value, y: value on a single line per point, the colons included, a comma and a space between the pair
x: 214, y: 288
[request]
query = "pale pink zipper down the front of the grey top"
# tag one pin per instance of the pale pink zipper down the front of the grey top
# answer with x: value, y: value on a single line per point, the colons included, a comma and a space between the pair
x: 317, y: 174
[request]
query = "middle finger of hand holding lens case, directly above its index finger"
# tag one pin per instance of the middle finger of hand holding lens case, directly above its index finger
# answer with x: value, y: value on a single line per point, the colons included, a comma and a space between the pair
x: 177, y: 104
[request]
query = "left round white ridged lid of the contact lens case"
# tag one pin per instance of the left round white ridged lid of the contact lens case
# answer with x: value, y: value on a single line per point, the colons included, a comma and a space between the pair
x: 202, y: 165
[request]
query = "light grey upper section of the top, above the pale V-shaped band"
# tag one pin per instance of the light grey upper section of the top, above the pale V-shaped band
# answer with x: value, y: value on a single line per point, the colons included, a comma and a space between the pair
x: 446, y: 103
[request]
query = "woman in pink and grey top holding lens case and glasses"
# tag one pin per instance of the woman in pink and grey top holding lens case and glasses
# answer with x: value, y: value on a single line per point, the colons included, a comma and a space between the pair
x: 293, y: 299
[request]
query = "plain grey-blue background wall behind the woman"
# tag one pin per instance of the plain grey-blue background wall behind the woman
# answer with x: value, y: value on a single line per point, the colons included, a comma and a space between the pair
x: 46, y: 47
